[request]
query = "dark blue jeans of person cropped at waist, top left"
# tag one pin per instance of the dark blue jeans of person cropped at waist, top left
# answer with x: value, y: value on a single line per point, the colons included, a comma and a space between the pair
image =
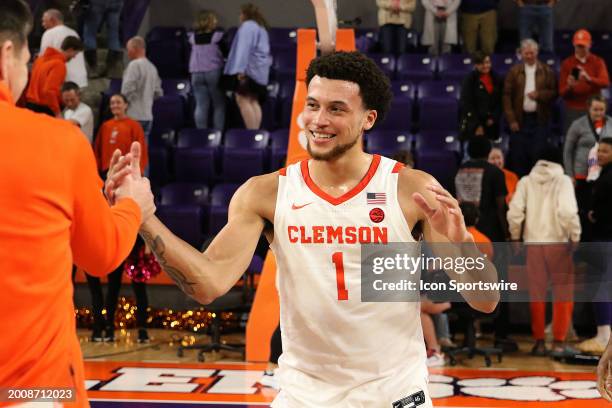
x: 100, y: 11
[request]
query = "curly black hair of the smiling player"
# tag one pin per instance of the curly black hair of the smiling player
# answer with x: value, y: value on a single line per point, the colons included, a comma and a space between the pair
x: 374, y: 85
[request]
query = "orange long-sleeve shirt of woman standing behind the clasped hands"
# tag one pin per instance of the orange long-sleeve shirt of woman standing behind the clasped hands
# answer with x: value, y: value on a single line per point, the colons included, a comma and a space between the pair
x: 119, y: 134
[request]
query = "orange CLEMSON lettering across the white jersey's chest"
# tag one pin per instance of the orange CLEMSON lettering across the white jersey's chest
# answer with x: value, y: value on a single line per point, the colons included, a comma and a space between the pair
x: 320, y: 234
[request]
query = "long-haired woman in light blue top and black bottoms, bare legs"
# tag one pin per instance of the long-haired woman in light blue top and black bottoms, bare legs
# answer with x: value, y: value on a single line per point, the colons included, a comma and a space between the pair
x: 249, y: 63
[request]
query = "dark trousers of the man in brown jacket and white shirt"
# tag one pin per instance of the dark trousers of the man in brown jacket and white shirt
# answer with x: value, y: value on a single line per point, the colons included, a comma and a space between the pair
x: 525, y: 145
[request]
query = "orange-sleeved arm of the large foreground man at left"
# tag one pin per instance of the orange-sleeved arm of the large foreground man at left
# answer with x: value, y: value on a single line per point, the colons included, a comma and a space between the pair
x: 102, y: 236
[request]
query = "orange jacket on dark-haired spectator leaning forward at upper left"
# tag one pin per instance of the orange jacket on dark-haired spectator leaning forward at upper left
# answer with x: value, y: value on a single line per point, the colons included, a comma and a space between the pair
x: 48, y: 76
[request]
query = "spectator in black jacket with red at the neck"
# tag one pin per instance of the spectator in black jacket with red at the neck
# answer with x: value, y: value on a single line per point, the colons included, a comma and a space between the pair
x: 481, y: 99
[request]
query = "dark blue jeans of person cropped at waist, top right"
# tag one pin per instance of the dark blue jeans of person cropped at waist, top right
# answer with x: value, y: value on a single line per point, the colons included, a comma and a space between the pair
x: 537, y: 18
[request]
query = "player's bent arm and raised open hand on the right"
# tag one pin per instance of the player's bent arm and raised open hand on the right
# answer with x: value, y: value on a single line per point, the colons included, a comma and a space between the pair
x: 425, y: 200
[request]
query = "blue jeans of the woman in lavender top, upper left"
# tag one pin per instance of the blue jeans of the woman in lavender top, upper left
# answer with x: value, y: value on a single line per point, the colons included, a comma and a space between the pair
x: 206, y: 88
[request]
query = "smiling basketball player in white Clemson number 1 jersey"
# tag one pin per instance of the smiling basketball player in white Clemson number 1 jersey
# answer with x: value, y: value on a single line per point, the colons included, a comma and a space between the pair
x: 337, y: 351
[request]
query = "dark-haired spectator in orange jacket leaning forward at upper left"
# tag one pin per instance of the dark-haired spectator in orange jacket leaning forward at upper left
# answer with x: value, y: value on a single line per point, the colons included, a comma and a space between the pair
x: 48, y: 75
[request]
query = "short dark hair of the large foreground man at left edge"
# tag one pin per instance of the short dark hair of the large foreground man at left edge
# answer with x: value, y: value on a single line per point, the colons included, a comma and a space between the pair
x: 15, y: 22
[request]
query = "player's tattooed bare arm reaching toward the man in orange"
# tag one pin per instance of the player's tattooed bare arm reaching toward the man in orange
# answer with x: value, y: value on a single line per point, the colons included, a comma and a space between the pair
x: 206, y: 276
